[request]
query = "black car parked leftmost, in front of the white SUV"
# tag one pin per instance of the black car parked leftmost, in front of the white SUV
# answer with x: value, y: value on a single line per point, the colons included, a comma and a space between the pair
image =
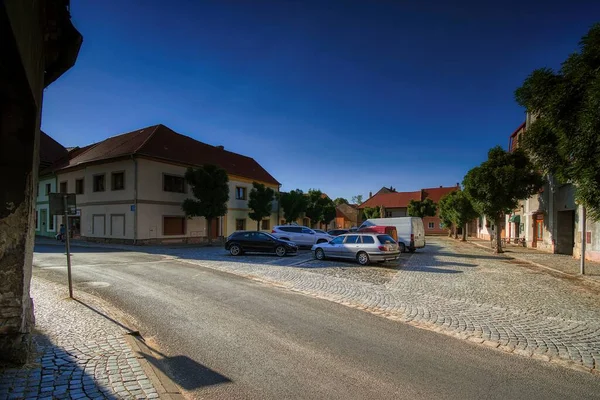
x: 258, y: 242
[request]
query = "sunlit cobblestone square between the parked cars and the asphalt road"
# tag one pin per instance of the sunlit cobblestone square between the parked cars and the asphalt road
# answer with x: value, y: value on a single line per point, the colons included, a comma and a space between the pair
x: 462, y: 291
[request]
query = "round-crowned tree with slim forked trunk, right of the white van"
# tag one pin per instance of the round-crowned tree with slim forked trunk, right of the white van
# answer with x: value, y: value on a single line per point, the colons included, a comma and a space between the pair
x: 496, y: 186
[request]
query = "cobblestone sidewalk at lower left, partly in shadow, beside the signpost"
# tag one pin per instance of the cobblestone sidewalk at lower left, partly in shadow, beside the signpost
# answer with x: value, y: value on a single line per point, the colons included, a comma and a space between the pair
x: 81, y: 354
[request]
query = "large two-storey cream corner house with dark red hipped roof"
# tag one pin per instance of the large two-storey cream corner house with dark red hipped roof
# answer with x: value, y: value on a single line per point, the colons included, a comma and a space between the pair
x: 130, y: 187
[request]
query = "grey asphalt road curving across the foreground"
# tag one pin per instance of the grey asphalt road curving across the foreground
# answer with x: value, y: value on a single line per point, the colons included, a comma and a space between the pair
x: 227, y: 337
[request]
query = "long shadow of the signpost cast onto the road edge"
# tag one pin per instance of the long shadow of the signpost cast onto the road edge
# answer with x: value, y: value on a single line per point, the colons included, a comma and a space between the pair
x: 180, y: 369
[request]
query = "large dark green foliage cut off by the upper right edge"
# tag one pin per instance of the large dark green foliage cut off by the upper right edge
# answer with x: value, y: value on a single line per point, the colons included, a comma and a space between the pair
x: 564, y: 140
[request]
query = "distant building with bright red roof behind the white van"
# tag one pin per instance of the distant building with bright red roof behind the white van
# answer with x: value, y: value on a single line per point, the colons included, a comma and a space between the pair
x: 395, y: 204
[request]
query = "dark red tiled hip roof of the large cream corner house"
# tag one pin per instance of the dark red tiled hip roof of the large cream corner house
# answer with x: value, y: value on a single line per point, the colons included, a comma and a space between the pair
x: 162, y: 143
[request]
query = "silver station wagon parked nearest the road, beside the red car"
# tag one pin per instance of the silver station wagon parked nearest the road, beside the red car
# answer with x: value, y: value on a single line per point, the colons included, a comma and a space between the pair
x: 362, y: 247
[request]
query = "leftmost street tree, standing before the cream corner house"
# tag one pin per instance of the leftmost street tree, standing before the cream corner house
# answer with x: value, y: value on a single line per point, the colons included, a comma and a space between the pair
x: 210, y: 187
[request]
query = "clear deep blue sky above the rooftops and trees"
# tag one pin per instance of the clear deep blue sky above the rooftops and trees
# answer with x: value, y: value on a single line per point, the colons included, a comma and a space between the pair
x: 343, y: 96
